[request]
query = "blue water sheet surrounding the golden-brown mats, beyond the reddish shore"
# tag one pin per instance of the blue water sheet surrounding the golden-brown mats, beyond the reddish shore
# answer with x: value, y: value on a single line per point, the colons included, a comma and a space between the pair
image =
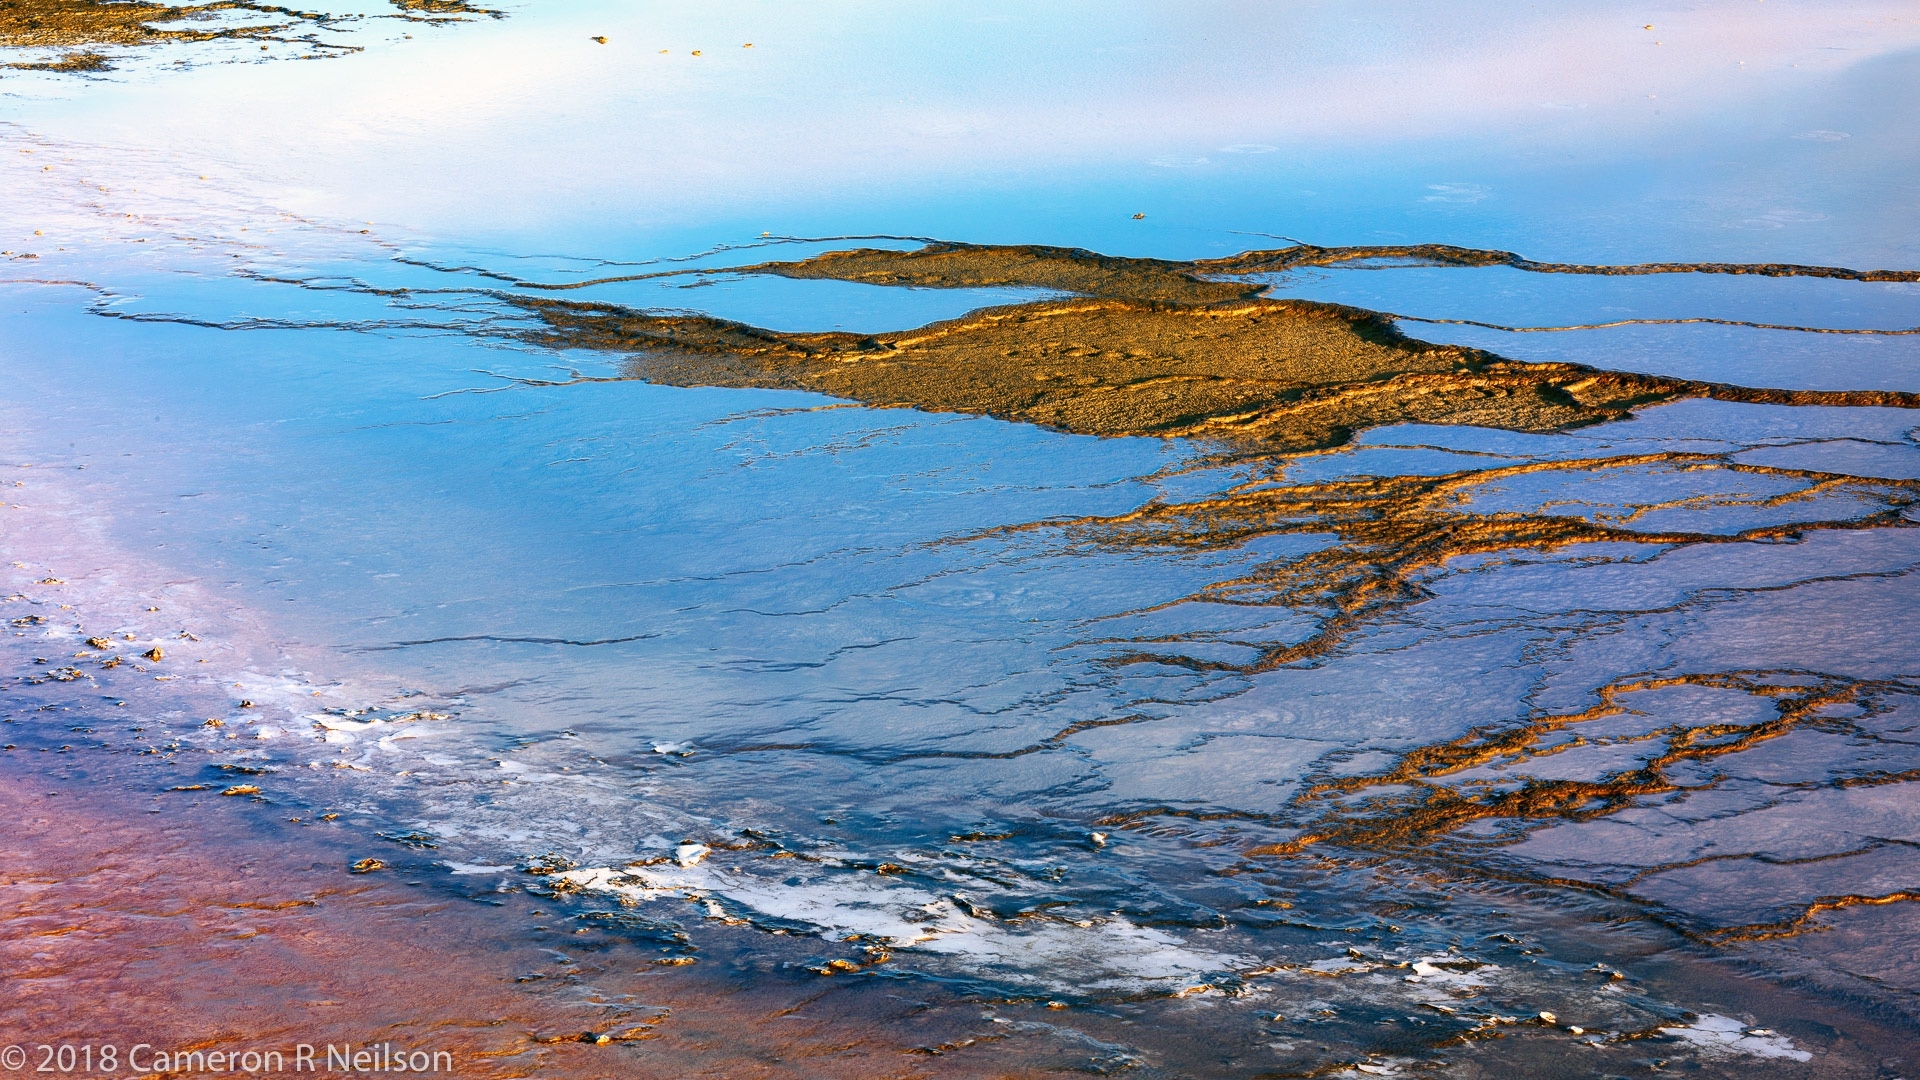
x: 757, y: 647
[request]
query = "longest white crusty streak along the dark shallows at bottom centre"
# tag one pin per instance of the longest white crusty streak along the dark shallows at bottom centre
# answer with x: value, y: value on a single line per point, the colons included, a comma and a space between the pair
x: 1109, y: 954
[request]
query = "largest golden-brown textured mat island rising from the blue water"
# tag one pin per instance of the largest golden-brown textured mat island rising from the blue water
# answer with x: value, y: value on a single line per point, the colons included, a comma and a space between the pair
x: 1145, y: 347
